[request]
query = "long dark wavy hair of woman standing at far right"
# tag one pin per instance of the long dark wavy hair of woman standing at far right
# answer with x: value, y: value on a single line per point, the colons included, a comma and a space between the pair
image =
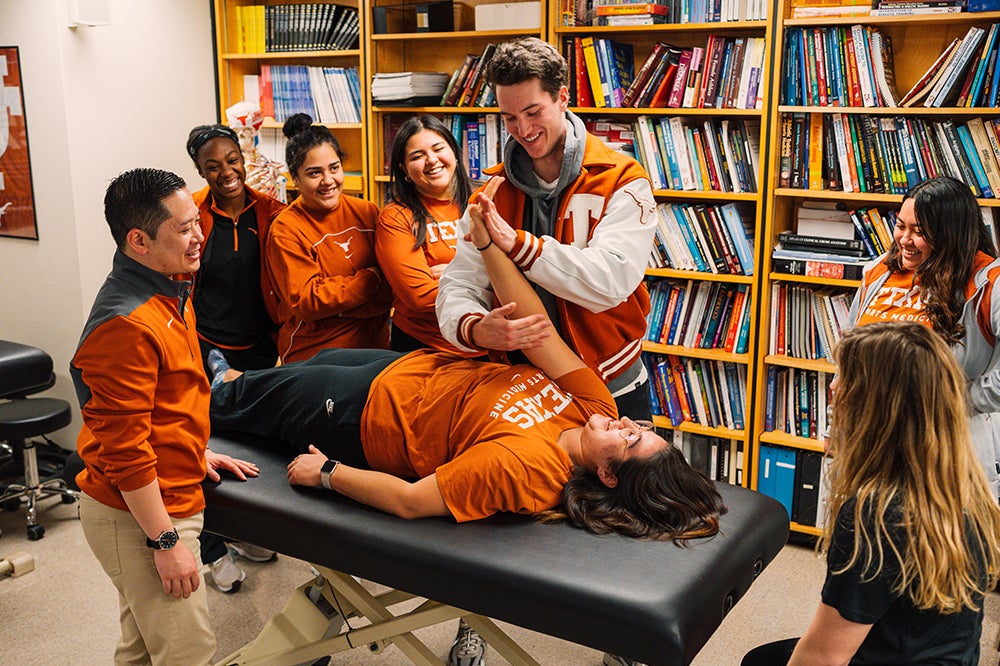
x: 952, y: 223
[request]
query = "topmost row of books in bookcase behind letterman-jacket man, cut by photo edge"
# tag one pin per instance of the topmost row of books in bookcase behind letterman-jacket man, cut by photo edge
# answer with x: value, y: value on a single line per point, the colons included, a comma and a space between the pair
x: 590, y: 12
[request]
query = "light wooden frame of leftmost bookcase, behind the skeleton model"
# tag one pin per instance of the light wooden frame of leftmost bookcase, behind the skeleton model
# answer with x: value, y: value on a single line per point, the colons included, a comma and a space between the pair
x: 233, y: 63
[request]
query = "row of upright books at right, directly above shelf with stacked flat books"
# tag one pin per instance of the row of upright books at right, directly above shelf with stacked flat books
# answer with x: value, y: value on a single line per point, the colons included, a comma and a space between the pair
x: 862, y: 153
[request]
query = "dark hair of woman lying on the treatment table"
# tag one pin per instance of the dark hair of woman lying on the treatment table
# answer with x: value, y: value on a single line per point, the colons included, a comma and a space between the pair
x: 659, y: 497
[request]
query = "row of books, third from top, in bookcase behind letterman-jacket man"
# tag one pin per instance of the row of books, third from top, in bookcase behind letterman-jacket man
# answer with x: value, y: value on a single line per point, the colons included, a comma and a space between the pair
x: 715, y: 154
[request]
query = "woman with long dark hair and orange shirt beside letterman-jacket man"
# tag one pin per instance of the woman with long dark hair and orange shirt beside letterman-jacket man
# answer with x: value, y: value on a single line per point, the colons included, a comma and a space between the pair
x: 416, y: 233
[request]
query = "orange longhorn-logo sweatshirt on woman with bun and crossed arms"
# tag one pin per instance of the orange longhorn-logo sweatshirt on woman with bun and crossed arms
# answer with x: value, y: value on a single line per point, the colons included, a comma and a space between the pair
x: 323, y: 271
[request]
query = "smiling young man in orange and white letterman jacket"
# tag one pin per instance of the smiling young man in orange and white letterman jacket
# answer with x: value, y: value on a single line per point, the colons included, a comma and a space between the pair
x: 576, y: 216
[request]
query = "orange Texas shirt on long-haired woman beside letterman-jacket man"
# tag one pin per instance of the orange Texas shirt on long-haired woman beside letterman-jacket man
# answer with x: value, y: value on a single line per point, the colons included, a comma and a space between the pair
x: 408, y: 269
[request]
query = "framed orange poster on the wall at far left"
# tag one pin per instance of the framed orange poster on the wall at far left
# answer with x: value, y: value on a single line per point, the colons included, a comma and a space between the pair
x: 17, y: 200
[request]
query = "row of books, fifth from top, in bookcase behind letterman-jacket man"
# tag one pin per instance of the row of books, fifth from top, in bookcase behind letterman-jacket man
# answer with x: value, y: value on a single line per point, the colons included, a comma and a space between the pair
x: 702, y: 315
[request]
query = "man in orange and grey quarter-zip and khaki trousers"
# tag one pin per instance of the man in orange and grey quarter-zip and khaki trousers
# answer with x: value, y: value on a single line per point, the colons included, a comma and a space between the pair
x: 144, y: 398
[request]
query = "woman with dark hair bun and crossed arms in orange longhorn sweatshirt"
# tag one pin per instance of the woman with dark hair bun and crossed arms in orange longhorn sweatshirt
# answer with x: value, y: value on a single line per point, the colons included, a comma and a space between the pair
x: 321, y: 257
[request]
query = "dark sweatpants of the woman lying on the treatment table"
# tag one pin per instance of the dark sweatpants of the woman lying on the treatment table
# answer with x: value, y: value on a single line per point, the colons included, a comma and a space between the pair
x: 318, y: 401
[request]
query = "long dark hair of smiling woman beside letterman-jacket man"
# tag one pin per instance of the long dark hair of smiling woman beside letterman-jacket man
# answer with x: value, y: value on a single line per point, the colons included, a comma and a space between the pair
x: 402, y: 190
